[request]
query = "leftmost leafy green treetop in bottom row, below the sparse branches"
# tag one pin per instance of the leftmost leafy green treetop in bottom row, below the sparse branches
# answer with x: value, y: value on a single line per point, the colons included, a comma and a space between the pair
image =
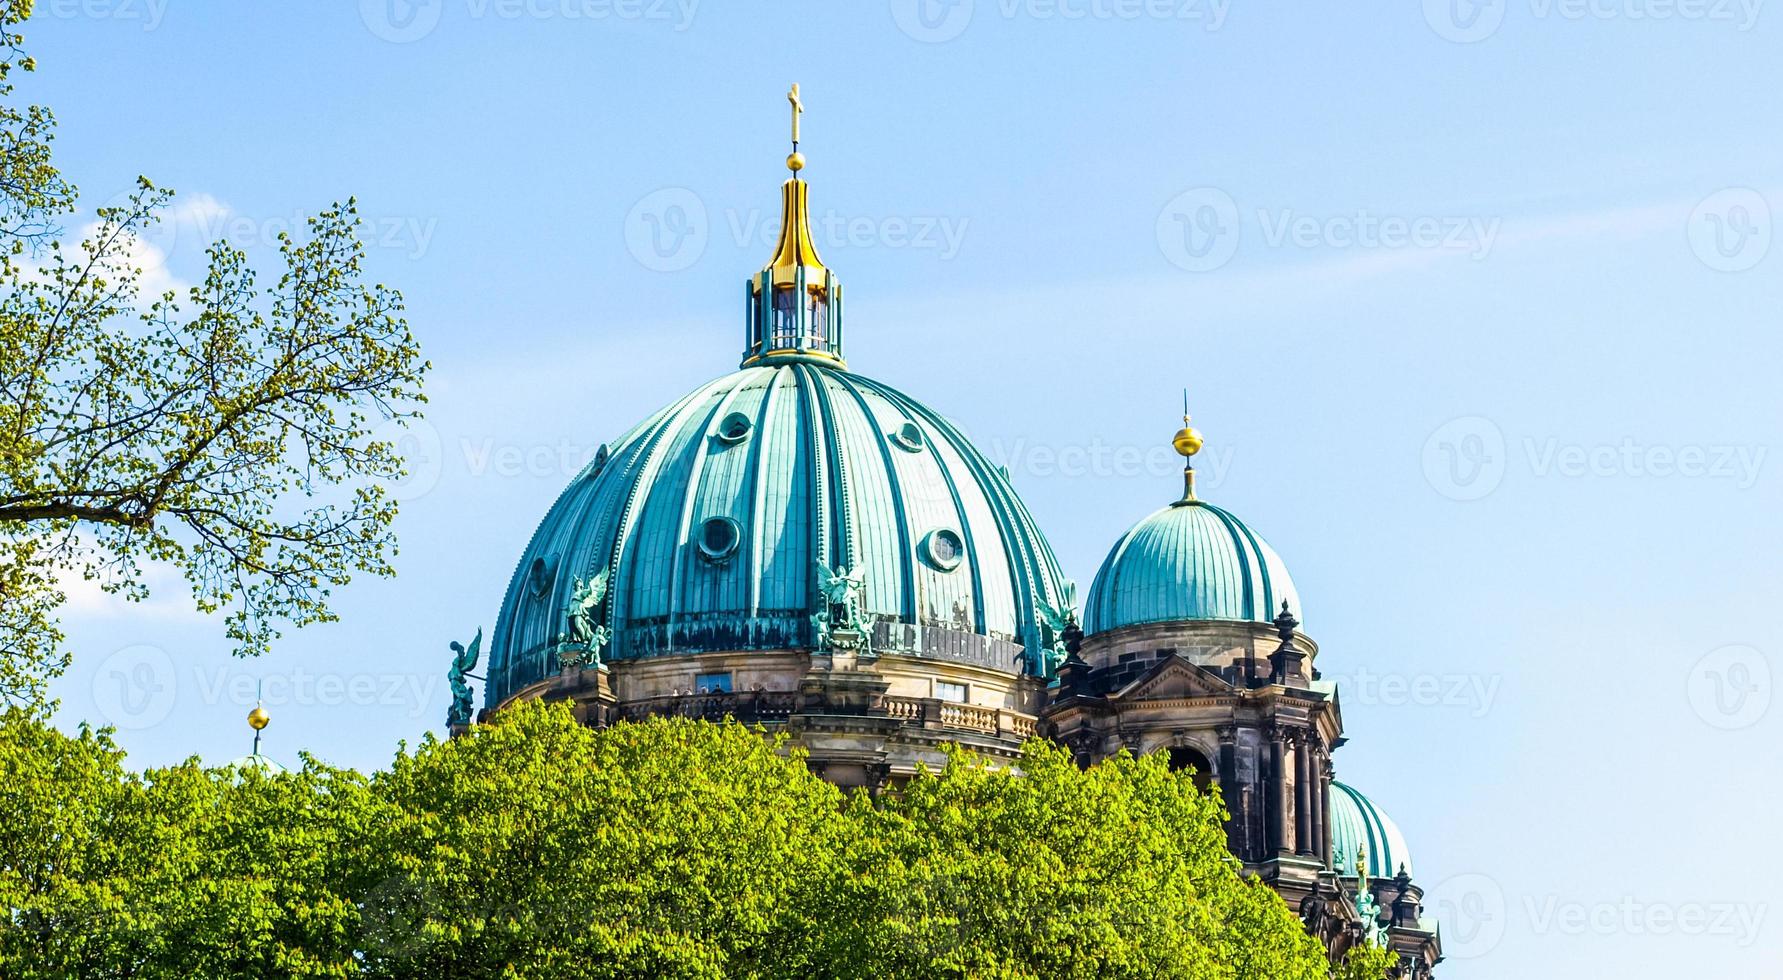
x: 177, y: 872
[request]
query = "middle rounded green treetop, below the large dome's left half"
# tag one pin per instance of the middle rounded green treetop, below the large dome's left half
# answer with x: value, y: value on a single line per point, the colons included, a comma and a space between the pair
x: 543, y: 849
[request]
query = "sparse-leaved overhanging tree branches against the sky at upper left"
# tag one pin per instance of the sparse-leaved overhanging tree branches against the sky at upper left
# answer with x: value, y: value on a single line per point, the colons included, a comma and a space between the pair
x: 229, y: 434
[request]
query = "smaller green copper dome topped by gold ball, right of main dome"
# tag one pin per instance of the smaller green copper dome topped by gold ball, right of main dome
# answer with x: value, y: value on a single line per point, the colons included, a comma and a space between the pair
x: 1188, y: 562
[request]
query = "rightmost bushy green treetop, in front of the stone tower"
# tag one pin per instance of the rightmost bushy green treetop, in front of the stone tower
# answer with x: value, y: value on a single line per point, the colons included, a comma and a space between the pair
x: 1053, y: 872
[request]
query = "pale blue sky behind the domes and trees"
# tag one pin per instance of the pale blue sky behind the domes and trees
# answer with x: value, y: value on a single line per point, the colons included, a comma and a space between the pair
x: 1477, y: 304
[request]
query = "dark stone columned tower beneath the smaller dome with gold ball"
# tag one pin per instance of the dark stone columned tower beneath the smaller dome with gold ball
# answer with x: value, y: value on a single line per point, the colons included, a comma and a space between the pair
x: 1244, y: 706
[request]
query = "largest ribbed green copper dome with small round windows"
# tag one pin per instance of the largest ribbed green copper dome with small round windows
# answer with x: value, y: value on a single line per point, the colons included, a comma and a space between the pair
x: 709, y: 521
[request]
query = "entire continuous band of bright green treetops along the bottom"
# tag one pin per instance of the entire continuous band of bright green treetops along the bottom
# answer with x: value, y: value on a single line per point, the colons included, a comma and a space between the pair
x: 541, y: 849
